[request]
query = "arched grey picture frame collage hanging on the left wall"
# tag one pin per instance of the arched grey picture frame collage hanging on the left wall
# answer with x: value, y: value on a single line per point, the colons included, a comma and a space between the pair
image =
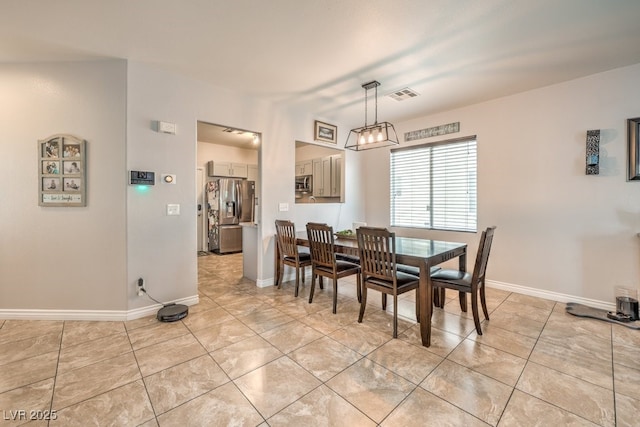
x: 62, y: 171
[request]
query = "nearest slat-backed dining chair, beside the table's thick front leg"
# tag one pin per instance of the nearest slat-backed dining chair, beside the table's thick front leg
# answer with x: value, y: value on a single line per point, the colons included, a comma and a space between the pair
x: 379, y: 270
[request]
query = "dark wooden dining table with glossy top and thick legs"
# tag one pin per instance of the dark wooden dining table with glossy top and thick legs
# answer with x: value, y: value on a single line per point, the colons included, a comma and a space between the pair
x: 418, y: 252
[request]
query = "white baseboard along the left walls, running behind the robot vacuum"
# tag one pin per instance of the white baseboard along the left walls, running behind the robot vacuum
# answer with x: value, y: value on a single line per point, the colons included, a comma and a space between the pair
x: 90, y: 315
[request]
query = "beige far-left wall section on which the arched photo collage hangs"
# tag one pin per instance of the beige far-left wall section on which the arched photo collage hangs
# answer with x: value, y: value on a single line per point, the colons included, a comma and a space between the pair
x: 63, y: 258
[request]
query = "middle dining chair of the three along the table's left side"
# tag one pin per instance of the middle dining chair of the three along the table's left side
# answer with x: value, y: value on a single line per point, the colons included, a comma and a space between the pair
x: 324, y: 261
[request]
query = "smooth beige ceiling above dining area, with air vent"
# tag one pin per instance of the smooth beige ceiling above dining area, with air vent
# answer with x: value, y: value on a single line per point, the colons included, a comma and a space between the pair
x: 315, y: 55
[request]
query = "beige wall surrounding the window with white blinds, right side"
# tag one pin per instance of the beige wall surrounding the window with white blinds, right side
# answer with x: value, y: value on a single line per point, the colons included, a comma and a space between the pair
x: 558, y: 230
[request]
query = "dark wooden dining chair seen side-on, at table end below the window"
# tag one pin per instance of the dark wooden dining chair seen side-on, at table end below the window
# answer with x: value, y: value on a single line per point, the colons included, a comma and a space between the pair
x: 465, y: 283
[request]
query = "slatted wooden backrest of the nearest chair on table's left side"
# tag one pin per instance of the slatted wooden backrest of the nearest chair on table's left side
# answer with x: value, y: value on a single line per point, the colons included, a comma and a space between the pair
x: 377, y: 252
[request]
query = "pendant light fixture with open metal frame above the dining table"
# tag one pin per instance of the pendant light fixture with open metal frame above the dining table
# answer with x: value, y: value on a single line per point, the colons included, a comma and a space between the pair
x: 376, y: 135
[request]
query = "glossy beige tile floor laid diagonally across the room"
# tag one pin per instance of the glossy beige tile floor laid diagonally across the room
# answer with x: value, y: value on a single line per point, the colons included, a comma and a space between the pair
x: 260, y: 357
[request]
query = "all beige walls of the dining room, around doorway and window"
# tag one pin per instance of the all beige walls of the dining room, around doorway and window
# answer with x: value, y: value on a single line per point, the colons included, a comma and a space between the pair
x: 560, y: 233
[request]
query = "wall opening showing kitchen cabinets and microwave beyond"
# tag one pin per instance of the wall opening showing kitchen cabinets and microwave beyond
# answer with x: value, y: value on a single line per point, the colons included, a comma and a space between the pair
x: 323, y: 169
